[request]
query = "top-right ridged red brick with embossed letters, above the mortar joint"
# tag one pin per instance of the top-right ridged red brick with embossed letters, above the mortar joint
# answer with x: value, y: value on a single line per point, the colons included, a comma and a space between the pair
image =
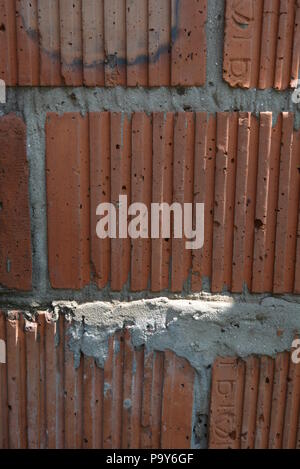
x: 262, y: 43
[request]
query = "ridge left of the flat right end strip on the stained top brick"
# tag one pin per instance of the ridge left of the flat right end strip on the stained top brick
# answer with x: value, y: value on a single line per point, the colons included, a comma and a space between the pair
x: 159, y: 42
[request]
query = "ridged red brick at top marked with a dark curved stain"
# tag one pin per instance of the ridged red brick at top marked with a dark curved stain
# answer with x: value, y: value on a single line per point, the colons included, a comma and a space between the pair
x: 103, y: 42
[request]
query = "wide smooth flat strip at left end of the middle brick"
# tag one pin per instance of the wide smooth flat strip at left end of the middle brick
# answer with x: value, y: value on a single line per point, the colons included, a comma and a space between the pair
x: 68, y: 200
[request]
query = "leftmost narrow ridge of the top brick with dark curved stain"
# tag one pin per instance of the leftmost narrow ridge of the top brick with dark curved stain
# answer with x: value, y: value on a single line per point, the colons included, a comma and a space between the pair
x: 8, y: 43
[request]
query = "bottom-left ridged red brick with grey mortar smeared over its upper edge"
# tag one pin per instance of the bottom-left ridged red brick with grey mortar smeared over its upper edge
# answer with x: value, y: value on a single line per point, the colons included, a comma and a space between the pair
x: 47, y: 400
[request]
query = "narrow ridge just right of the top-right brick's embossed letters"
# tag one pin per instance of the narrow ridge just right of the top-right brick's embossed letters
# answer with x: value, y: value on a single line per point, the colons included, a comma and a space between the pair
x: 269, y: 43
